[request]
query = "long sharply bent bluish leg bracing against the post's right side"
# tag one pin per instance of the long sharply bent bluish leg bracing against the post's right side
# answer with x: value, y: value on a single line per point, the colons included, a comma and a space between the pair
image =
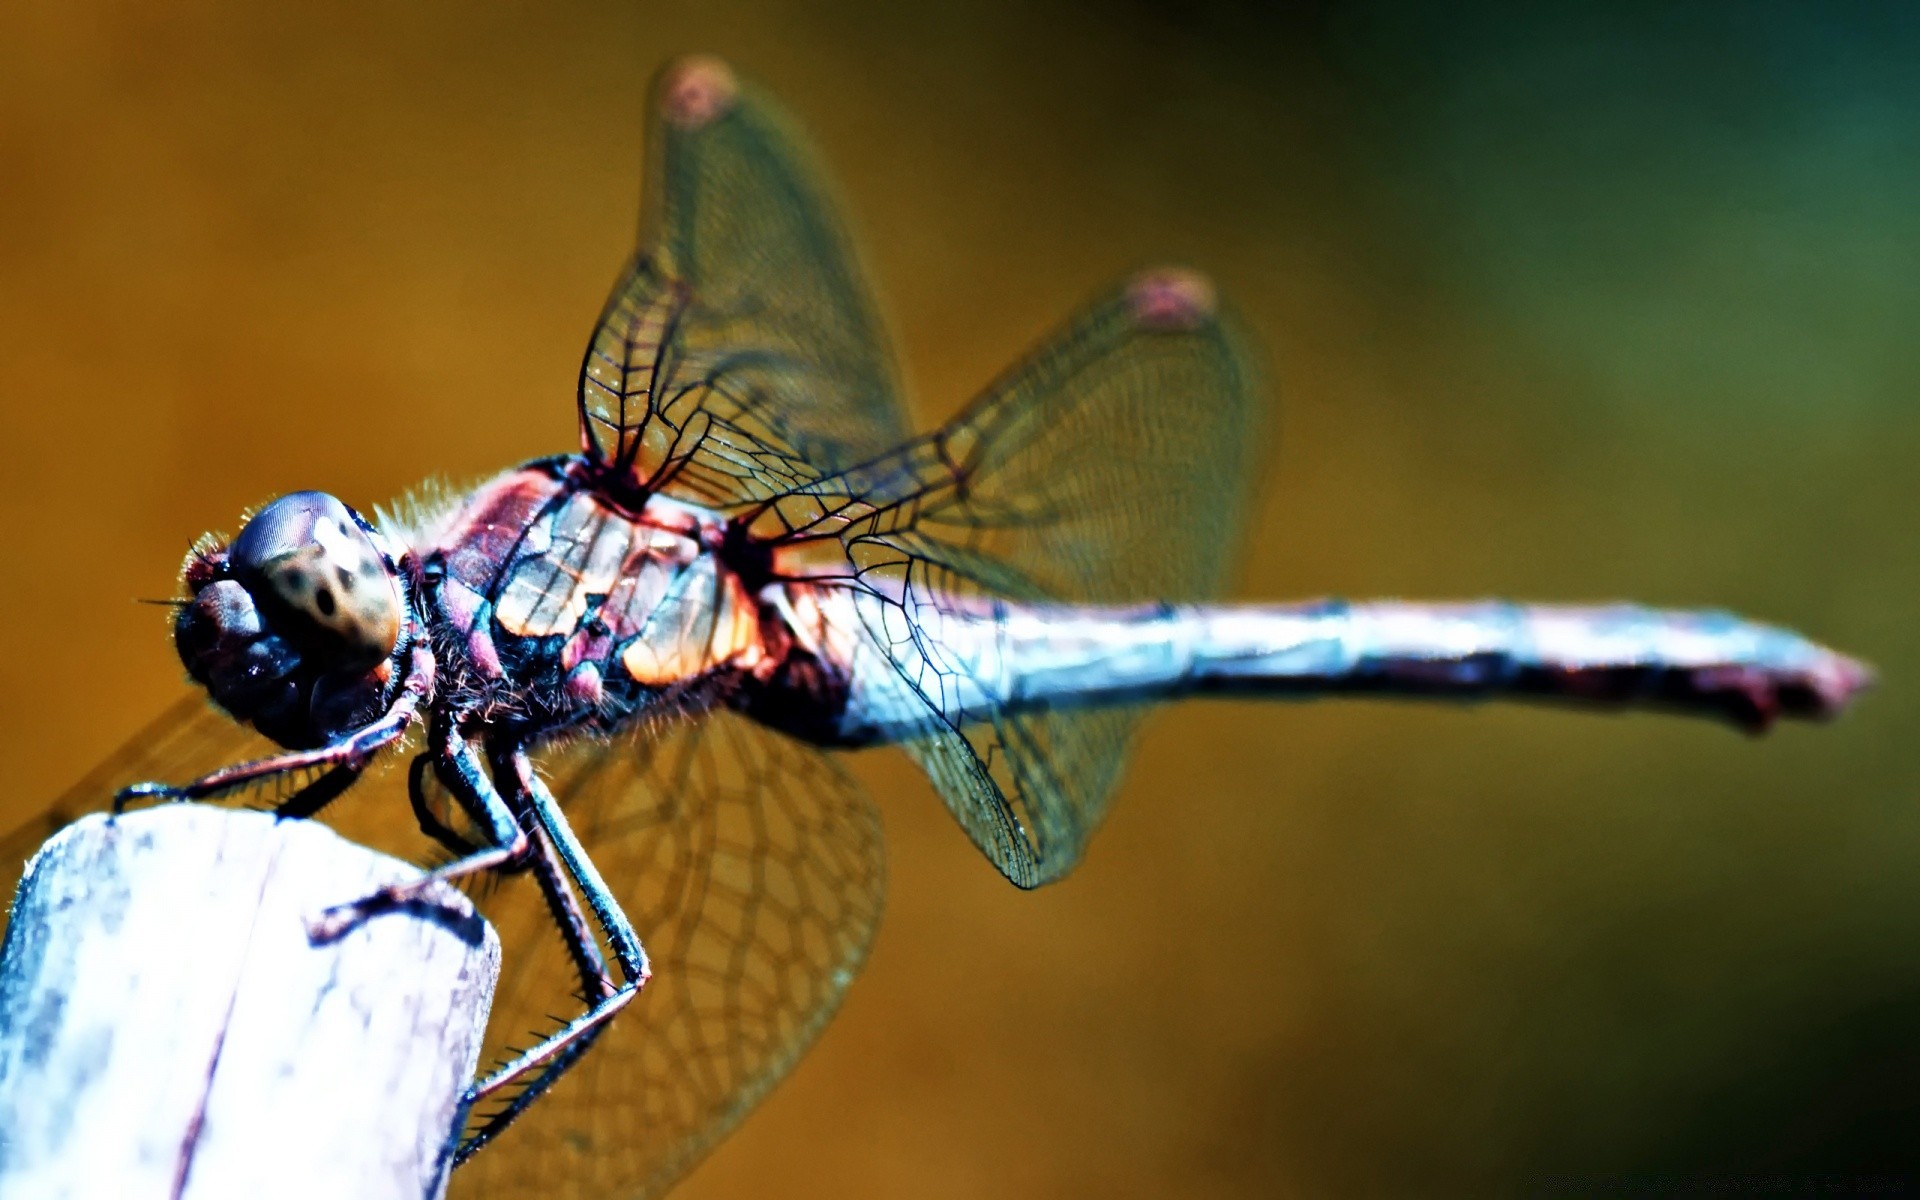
x: 544, y: 1065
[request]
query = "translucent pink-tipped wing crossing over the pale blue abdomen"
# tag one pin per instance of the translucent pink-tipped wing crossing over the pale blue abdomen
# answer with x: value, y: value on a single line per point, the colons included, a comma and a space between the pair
x: 1111, y: 468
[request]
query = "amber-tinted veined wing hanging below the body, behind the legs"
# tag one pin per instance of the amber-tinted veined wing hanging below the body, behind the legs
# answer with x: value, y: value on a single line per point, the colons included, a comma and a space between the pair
x: 752, y: 869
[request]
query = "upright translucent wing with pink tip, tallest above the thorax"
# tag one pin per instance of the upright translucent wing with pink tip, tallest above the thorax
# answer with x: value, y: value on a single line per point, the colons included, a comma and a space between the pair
x: 740, y: 356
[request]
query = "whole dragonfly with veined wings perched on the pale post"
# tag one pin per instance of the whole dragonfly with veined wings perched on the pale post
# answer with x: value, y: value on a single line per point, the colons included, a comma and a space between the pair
x: 617, y: 675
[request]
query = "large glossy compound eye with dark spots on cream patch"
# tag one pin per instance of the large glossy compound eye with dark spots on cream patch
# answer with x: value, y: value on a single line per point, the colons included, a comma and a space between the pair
x: 306, y: 556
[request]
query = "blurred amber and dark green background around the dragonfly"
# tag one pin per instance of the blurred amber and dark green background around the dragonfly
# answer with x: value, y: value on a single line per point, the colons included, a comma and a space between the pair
x: 1572, y: 304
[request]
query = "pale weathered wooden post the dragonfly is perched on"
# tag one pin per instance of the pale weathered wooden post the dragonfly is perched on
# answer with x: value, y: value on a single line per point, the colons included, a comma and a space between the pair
x: 168, y: 1028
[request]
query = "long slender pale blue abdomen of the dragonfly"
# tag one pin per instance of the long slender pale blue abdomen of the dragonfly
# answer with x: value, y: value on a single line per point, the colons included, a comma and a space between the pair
x: 1028, y: 658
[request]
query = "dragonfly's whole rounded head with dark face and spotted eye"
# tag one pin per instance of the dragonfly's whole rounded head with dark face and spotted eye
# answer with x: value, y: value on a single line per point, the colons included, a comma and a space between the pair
x: 293, y: 625
